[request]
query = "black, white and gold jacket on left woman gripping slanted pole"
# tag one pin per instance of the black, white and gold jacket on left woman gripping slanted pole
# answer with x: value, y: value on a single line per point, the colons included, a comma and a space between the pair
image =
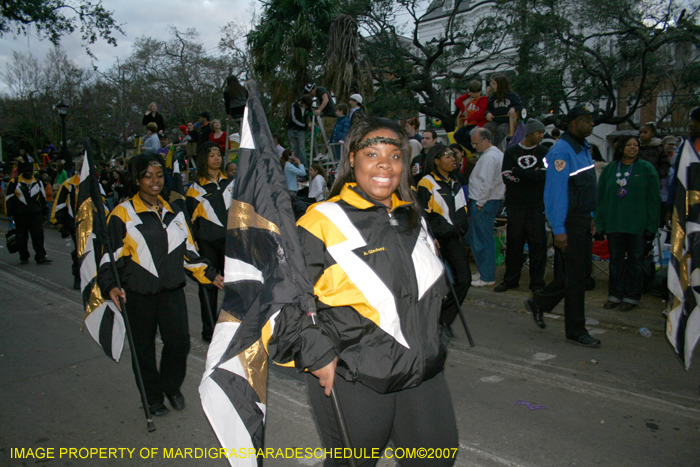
x: 150, y: 246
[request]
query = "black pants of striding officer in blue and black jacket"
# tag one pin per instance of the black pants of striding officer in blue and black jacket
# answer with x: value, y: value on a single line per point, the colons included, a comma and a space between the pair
x: 570, y: 284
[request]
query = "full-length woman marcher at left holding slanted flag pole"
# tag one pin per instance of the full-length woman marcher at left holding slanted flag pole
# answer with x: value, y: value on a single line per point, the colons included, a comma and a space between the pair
x: 150, y: 238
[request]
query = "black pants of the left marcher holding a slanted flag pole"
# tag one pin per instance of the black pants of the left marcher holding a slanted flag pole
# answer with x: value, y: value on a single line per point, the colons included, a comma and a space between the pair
x: 167, y: 312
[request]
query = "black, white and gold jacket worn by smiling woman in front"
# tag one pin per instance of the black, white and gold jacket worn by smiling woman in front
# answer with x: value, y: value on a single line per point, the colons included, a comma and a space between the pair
x: 379, y: 286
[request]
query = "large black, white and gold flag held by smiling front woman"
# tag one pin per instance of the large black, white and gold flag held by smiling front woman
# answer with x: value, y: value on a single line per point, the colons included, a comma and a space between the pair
x: 267, y: 291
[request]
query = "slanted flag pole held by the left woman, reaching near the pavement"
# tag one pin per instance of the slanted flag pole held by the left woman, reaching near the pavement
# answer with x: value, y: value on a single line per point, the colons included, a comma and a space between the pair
x: 95, y: 194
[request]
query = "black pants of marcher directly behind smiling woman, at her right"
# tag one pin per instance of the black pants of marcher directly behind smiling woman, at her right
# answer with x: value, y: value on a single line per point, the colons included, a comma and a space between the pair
x: 452, y: 251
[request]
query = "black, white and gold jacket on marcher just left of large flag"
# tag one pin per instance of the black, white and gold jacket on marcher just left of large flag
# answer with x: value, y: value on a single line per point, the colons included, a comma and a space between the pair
x: 207, y: 203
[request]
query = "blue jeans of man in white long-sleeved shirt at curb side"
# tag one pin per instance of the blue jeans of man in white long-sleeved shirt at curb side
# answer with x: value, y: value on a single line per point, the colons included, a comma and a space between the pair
x: 480, y: 235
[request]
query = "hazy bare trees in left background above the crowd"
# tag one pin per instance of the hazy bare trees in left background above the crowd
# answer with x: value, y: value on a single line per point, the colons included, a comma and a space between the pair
x: 175, y: 72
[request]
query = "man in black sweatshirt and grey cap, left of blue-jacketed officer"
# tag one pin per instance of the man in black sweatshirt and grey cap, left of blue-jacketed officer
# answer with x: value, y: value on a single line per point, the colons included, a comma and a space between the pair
x: 524, y: 173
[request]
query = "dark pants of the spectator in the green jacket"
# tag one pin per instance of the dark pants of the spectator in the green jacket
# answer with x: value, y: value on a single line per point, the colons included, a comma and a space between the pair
x: 626, y: 267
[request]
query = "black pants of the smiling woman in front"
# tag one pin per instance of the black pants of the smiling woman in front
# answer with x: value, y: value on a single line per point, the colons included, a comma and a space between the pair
x: 420, y: 417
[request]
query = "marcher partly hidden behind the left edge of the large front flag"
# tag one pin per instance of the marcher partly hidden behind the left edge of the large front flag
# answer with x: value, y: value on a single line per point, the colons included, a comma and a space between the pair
x: 208, y: 200
